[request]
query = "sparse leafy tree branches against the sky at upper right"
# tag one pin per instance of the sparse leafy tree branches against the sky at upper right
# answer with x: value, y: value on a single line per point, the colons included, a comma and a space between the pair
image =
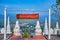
x: 56, y: 10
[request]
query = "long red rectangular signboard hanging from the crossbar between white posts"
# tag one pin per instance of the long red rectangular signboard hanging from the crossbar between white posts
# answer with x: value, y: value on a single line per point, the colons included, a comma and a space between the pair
x: 27, y: 16
